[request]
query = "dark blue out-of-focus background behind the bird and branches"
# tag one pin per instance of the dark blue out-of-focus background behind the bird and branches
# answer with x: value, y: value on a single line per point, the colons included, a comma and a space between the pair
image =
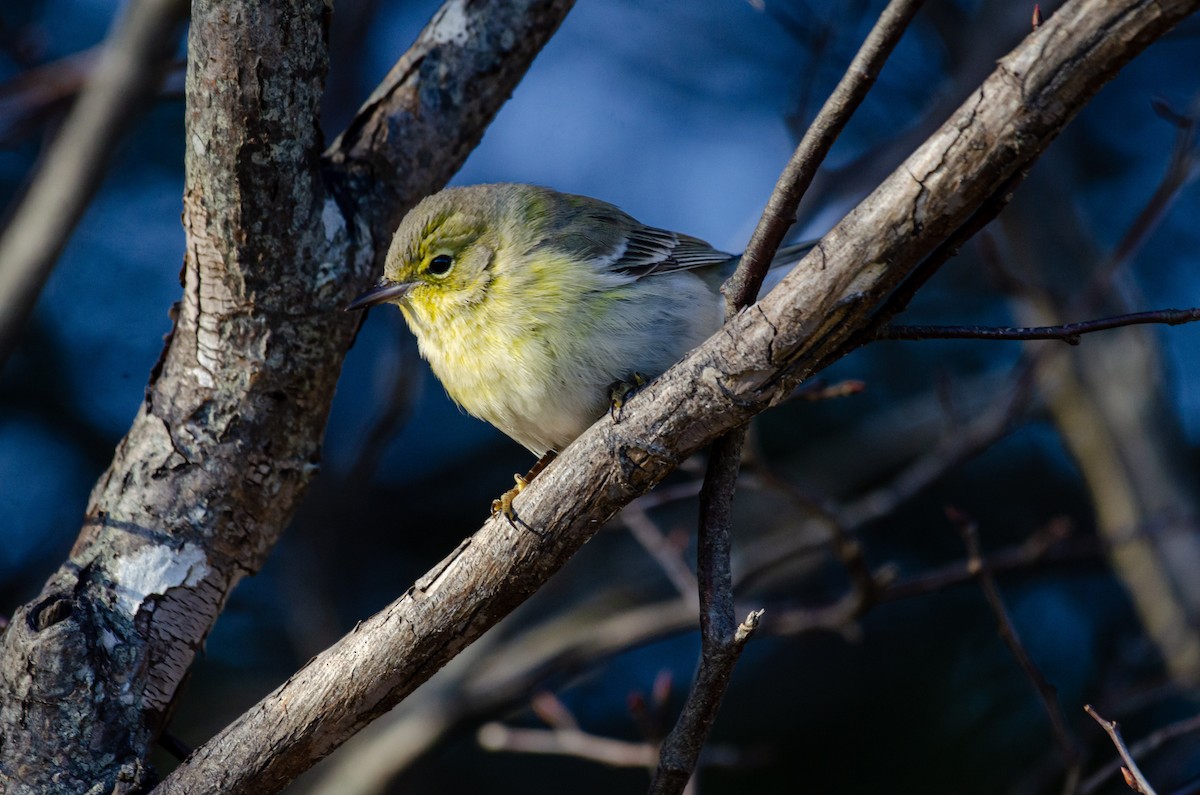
x: 683, y: 113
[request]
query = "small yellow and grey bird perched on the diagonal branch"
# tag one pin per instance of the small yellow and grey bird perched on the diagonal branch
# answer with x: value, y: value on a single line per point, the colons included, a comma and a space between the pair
x: 531, y: 306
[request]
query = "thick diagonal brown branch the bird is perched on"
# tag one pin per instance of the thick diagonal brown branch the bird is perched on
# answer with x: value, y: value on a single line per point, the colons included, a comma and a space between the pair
x: 752, y: 364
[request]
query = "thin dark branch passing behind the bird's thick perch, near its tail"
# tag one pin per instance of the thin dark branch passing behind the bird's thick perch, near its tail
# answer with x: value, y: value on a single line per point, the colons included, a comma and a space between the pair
x: 722, y: 637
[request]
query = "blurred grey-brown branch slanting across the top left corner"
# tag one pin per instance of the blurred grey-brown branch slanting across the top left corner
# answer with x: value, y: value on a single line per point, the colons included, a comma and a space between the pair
x: 137, y: 55
